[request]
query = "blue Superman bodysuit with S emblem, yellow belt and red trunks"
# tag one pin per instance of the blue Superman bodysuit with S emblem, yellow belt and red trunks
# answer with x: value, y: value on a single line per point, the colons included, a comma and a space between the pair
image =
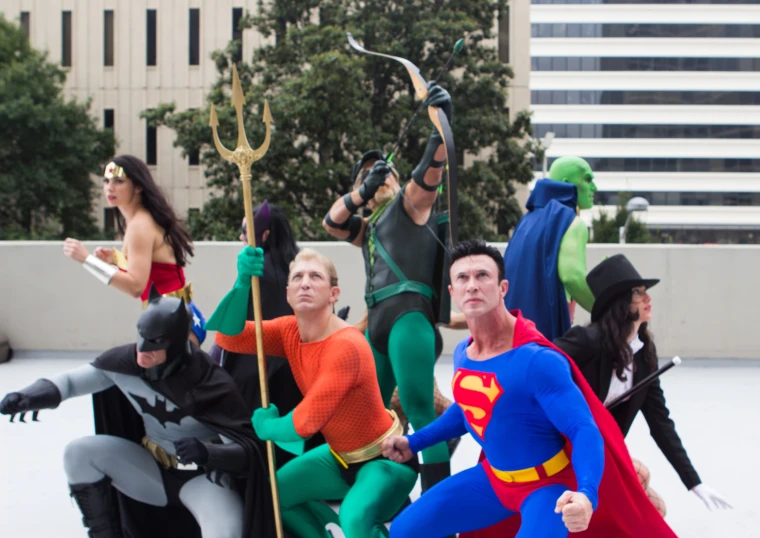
x: 522, y: 407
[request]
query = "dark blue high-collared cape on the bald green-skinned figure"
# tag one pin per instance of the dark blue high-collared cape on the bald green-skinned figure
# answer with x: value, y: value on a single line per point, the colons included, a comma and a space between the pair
x: 530, y: 262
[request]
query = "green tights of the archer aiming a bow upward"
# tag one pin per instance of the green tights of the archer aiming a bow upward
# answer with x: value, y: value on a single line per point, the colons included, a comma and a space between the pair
x: 410, y: 364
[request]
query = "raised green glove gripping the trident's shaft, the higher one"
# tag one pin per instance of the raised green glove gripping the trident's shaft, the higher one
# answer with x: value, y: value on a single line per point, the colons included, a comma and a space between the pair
x: 231, y: 313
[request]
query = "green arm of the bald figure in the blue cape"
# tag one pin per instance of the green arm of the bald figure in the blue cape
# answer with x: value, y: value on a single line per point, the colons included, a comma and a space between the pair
x: 572, y: 264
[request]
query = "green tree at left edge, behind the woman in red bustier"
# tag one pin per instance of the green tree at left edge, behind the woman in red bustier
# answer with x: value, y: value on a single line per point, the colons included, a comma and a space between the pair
x: 48, y: 147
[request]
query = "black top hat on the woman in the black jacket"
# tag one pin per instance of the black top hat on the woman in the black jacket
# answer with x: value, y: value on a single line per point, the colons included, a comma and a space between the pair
x: 610, y: 279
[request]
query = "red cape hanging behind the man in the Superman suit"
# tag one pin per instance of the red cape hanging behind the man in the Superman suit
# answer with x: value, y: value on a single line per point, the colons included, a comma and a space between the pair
x: 624, y: 510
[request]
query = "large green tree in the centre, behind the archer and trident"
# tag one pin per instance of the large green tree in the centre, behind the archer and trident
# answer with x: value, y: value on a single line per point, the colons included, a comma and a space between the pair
x: 331, y: 104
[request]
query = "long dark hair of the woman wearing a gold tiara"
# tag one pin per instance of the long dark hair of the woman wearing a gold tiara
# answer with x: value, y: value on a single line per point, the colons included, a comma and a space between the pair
x: 154, y: 201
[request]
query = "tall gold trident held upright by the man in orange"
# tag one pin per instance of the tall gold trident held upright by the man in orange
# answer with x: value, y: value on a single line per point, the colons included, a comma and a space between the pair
x: 244, y: 156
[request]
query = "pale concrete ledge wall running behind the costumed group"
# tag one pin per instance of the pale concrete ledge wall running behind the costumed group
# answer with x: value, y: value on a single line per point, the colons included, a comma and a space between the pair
x: 706, y: 305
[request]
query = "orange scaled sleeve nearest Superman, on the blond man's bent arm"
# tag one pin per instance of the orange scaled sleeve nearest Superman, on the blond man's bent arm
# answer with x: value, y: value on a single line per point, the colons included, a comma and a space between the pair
x: 339, y: 368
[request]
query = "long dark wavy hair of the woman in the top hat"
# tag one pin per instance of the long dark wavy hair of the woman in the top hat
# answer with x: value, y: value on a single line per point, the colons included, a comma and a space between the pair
x: 616, y: 324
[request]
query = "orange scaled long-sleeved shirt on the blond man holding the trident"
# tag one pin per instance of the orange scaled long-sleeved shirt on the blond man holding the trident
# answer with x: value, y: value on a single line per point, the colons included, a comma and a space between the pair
x: 336, y: 376
